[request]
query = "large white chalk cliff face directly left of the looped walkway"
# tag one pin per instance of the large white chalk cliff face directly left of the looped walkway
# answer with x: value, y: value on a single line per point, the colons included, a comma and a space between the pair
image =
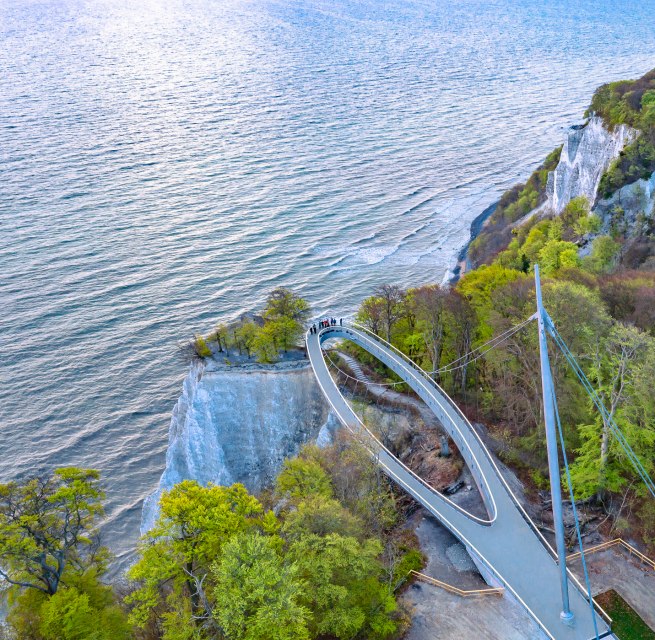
x: 238, y: 424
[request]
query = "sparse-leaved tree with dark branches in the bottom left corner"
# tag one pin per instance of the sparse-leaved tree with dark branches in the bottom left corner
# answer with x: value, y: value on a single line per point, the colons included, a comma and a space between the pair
x: 49, y: 552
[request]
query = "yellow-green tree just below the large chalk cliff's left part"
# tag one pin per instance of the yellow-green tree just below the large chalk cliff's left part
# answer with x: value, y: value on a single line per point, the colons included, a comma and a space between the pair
x: 172, y: 572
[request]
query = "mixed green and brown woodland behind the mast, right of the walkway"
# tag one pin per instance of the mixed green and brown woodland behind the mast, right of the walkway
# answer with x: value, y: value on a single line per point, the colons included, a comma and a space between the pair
x: 605, y: 313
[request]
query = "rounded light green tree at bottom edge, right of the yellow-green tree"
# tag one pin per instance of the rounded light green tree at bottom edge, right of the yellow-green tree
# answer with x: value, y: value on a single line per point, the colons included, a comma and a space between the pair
x: 258, y: 593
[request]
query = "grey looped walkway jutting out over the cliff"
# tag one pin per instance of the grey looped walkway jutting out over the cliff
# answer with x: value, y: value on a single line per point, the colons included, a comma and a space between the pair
x: 506, y: 546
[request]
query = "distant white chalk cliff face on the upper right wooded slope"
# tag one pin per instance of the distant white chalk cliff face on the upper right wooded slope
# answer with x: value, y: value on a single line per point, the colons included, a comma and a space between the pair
x: 587, y: 153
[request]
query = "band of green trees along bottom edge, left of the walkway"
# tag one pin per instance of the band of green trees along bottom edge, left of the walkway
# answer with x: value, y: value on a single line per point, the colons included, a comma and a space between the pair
x: 321, y: 555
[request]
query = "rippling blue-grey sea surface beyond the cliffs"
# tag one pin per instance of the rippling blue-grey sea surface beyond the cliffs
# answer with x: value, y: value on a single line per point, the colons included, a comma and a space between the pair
x: 165, y: 163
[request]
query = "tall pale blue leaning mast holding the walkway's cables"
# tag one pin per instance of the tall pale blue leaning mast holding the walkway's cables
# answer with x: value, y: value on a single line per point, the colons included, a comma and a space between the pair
x: 551, y: 443
